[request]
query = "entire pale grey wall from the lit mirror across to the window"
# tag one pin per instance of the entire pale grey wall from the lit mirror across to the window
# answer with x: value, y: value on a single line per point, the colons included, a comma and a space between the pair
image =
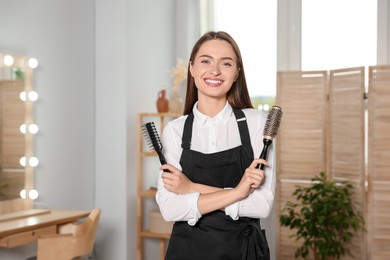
x: 101, y: 62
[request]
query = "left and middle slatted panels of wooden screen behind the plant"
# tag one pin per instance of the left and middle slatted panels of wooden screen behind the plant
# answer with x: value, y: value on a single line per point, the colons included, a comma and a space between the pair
x: 322, y: 131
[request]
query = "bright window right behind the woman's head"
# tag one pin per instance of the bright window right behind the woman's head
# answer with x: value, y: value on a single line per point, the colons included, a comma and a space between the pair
x: 252, y: 24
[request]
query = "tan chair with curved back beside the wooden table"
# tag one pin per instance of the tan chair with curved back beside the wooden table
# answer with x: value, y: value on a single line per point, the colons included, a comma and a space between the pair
x: 72, y: 242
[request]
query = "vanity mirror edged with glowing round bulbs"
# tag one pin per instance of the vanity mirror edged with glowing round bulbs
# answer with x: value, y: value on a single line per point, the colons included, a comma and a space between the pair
x: 17, y: 131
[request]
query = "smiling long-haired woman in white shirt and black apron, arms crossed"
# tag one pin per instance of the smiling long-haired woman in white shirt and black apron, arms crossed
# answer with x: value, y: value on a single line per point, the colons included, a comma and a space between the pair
x: 214, y: 191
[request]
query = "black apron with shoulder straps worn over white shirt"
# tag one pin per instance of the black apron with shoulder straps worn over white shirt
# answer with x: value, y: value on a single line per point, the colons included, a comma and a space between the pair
x: 216, y: 236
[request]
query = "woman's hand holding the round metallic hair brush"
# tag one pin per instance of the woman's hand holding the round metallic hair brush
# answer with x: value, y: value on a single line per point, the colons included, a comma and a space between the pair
x: 252, y: 178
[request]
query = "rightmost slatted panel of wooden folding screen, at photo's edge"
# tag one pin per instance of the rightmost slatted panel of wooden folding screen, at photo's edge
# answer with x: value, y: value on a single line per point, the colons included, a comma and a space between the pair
x: 379, y: 163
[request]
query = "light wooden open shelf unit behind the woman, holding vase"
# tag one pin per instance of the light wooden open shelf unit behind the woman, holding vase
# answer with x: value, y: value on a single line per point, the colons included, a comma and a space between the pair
x: 143, y: 192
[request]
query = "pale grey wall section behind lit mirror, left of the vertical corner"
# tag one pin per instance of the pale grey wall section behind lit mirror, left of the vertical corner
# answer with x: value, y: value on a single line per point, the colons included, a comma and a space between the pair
x: 60, y: 34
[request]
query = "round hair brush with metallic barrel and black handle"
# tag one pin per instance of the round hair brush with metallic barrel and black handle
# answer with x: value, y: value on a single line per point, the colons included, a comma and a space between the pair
x: 270, y: 130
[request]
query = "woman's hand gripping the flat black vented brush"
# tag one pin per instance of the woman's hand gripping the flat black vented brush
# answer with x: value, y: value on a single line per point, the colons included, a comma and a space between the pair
x: 175, y: 181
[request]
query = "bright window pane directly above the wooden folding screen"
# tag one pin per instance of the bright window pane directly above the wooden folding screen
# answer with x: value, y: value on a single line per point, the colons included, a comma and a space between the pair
x: 338, y: 34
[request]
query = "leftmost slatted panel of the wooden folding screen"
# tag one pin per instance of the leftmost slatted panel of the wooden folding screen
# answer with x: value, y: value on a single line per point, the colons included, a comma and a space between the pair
x: 301, y: 142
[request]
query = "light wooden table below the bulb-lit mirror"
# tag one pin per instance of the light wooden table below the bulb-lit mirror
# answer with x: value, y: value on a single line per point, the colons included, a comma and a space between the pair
x: 24, y: 227
